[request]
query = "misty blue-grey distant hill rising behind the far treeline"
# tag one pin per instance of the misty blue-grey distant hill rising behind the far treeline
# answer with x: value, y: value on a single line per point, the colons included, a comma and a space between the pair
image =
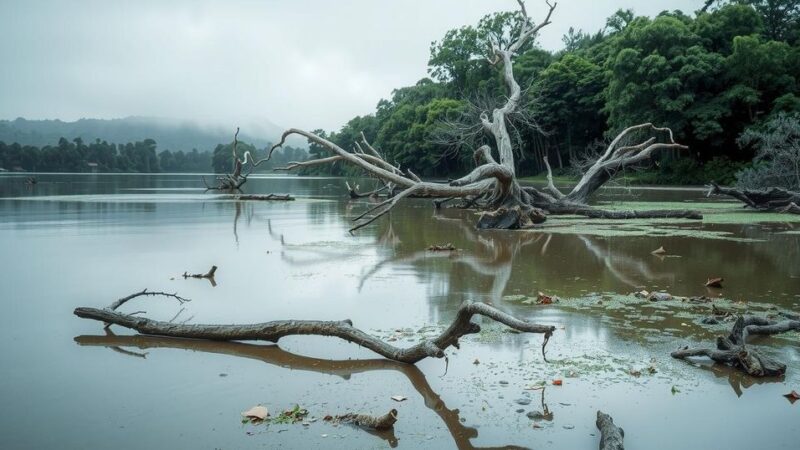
x: 169, y: 134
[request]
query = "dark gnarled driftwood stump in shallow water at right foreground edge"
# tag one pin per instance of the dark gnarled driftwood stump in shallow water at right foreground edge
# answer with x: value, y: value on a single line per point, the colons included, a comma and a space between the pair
x: 734, y: 351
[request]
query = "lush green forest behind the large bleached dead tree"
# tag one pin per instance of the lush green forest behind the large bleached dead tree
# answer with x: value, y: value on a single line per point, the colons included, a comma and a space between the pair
x: 732, y: 67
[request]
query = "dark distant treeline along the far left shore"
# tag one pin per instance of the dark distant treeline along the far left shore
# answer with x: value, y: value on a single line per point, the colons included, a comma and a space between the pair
x: 140, y: 156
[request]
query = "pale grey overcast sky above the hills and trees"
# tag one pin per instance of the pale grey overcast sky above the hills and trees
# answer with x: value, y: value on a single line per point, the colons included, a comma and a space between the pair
x: 297, y: 63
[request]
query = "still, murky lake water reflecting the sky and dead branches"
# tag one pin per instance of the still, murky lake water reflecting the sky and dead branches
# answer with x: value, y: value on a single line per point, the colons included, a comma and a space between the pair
x: 86, y: 240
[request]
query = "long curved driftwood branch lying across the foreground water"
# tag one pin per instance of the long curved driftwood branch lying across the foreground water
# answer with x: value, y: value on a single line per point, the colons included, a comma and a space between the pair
x: 273, y: 331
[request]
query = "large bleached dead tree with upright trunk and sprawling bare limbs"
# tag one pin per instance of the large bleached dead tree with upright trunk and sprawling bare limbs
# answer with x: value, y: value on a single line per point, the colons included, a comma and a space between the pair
x: 493, y: 185
